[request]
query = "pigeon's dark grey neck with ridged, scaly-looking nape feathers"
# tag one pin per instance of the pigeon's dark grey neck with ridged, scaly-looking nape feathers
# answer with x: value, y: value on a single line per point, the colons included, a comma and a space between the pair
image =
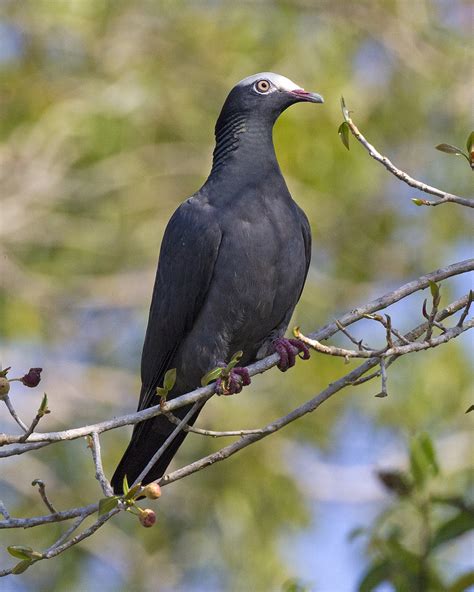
x: 245, y: 145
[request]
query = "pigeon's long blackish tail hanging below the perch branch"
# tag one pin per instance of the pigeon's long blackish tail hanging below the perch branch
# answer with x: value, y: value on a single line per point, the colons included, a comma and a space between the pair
x: 147, y: 438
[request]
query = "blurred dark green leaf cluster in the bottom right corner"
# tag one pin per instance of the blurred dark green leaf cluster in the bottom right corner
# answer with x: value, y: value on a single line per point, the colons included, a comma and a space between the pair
x: 405, y: 539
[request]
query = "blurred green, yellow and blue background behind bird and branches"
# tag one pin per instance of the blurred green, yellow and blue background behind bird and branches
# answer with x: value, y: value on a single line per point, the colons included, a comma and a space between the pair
x: 106, y: 125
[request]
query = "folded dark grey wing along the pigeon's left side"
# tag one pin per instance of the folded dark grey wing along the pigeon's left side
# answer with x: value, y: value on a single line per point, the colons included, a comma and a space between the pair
x: 188, y: 254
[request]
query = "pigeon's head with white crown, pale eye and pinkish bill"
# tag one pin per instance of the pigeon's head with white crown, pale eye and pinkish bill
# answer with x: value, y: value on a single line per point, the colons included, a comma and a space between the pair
x: 266, y: 95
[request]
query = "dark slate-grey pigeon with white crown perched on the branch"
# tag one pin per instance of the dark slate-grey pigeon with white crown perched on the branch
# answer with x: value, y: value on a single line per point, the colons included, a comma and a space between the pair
x: 232, y: 266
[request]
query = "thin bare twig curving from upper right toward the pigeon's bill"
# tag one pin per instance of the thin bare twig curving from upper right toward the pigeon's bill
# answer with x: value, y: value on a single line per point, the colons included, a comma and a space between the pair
x: 444, y: 197
